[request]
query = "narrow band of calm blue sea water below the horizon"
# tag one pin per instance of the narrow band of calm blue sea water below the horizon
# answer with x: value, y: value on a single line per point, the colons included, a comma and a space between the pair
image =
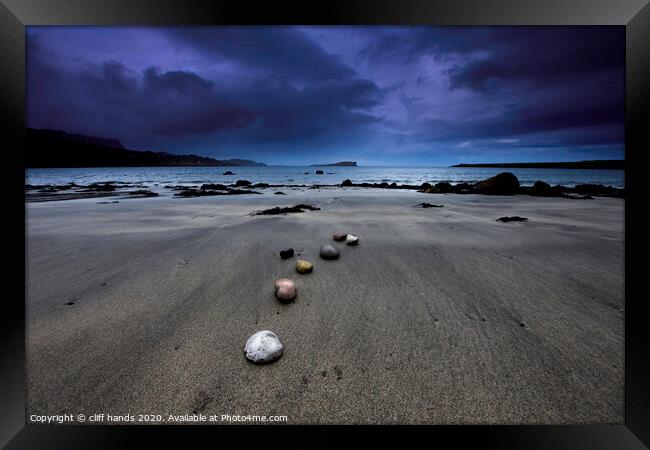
x: 333, y: 175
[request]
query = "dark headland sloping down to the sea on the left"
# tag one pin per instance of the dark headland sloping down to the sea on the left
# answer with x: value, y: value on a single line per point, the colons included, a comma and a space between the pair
x: 53, y: 148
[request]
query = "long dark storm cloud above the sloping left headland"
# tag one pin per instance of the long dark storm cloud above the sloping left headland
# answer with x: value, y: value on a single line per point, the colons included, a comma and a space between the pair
x: 135, y: 105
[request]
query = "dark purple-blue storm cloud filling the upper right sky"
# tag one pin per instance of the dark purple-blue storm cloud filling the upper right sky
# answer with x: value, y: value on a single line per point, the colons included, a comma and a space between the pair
x: 568, y: 81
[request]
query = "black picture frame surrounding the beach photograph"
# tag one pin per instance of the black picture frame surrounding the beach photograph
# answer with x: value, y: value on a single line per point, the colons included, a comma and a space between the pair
x: 633, y: 14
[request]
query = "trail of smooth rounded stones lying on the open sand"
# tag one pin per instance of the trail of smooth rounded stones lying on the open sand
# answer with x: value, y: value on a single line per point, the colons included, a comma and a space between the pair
x: 265, y: 346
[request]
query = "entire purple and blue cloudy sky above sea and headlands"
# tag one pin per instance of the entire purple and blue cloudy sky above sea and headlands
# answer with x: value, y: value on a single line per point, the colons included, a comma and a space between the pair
x: 302, y: 95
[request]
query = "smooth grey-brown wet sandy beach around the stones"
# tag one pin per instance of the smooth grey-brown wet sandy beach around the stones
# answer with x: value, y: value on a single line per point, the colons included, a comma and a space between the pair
x: 439, y: 316
